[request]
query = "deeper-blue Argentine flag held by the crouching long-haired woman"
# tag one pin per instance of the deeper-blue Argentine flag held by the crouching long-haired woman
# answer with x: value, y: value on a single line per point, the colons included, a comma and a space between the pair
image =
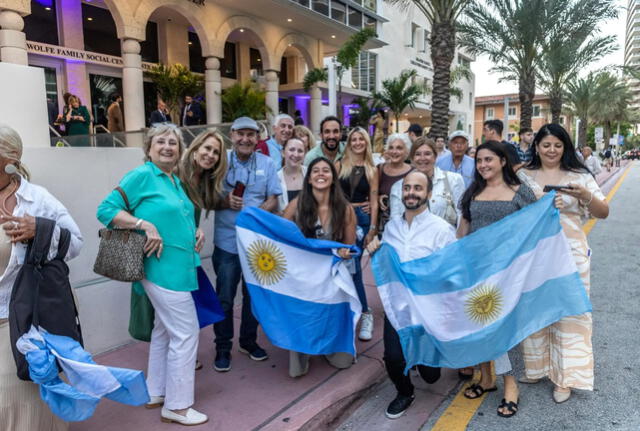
x: 301, y: 293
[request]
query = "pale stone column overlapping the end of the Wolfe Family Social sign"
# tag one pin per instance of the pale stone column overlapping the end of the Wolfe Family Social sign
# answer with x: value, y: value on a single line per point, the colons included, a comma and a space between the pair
x: 133, y: 92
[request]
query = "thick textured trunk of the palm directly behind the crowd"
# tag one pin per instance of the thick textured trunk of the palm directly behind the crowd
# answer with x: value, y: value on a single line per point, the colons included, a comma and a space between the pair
x: 443, y: 45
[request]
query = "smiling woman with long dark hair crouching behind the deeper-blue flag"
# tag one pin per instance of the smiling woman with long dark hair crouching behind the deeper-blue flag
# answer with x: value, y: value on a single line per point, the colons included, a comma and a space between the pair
x: 321, y: 211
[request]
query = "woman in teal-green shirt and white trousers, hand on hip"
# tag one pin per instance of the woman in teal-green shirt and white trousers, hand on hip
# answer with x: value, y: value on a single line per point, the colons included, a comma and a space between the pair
x: 160, y: 207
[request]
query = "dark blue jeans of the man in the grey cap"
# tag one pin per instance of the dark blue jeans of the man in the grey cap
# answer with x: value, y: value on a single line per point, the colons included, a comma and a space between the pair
x: 228, y: 275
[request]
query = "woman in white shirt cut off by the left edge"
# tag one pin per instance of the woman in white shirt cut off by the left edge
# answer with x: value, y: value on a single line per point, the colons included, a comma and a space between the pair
x: 20, y: 203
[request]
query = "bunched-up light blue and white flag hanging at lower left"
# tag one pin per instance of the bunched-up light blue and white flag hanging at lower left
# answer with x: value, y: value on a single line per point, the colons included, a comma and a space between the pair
x: 88, y: 381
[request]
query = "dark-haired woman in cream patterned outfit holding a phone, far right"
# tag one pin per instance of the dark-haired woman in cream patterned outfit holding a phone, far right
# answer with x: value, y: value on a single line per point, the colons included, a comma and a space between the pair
x: 563, y: 351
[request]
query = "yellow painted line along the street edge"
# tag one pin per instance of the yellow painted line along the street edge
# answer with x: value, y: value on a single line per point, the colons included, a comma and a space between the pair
x: 459, y: 413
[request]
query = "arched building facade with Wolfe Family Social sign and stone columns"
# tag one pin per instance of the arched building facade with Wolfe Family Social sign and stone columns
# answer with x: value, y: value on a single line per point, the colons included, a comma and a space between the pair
x: 93, y: 48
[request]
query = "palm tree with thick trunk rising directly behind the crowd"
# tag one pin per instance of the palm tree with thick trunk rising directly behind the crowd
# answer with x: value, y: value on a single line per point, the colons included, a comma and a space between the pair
x: 443, y: 17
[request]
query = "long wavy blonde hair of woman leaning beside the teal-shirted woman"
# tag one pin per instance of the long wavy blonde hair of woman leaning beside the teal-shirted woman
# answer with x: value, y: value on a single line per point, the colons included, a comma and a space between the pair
x: 205, y: 190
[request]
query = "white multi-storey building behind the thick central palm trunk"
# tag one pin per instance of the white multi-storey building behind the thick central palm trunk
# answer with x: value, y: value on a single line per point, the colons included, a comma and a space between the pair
x: 407, y: 37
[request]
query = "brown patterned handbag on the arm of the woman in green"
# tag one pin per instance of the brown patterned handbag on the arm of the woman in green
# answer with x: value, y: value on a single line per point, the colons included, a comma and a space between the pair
x: 121, y: 251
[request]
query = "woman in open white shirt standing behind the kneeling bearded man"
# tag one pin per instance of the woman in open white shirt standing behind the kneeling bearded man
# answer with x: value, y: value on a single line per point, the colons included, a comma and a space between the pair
x: 448, y: 187
